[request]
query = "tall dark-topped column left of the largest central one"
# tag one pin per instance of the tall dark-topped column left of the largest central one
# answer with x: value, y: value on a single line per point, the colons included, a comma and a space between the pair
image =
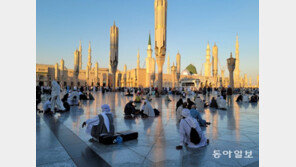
x: 113, y: 51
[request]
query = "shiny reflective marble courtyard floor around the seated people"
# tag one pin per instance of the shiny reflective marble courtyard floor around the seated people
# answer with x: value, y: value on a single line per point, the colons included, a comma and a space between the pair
x: 62, y: 142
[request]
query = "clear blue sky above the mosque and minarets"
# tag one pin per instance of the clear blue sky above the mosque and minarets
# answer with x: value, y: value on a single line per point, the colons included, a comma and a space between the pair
x: 190, y: 25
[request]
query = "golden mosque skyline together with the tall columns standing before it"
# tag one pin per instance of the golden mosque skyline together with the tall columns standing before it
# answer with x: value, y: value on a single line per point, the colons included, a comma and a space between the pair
x: 147, y: 76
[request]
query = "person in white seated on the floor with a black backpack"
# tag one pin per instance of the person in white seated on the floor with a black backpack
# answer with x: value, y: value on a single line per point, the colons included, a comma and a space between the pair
x: 187, y: 122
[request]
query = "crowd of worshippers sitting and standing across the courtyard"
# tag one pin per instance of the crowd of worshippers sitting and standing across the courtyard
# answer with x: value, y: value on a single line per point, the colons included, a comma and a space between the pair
x: 188, y: 113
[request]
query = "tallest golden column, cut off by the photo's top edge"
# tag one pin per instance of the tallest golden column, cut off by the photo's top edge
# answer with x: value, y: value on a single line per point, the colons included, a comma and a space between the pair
x: 160, y: 11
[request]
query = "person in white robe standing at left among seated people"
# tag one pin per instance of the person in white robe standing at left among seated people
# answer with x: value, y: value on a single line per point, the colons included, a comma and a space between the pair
x: 55, y: 97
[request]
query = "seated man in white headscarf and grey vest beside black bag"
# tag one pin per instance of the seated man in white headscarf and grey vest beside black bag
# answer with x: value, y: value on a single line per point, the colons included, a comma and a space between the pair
x: 107, y: 117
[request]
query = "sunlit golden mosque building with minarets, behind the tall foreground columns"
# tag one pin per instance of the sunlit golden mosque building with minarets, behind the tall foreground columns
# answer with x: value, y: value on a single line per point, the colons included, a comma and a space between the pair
x: 93, y: 75
